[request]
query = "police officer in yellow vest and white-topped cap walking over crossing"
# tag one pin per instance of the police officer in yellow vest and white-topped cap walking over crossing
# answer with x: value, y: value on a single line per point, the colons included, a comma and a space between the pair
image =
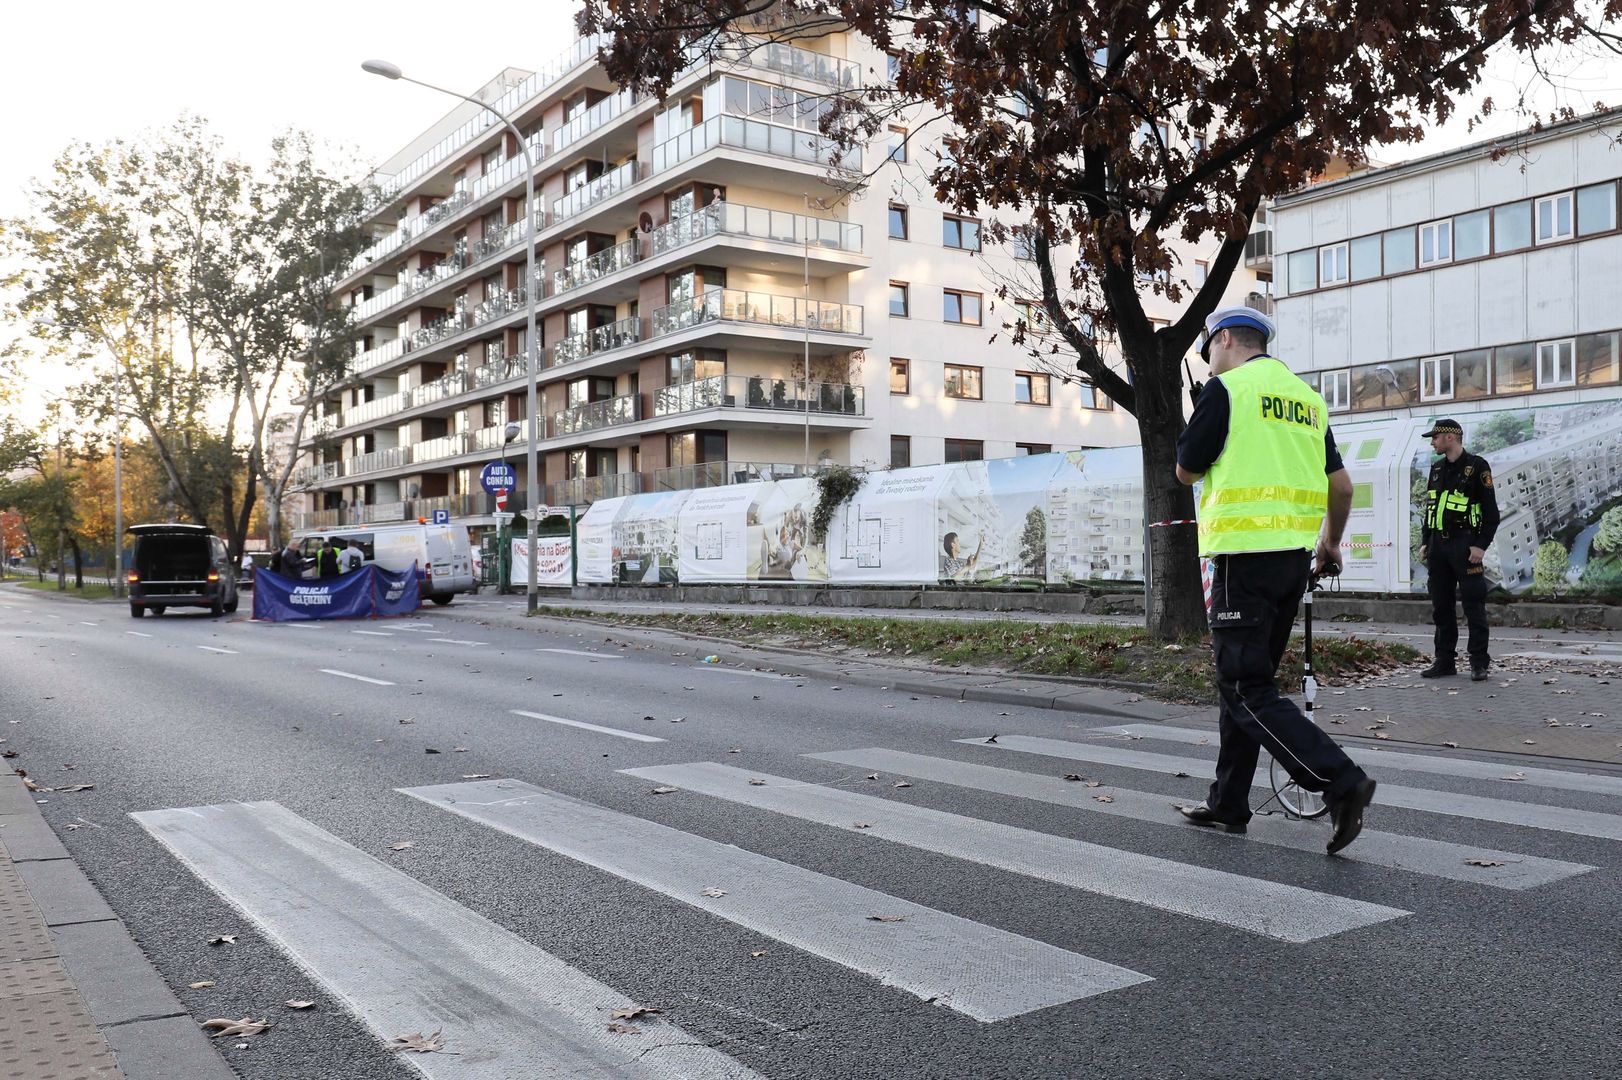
x: 1261, y: 440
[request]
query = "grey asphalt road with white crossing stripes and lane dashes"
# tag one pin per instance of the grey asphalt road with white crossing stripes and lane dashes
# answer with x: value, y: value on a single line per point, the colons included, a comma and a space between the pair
x: 508, y: 834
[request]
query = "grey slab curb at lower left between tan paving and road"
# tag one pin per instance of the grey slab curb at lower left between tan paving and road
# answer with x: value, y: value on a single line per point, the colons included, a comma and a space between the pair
x: 153, y: 1037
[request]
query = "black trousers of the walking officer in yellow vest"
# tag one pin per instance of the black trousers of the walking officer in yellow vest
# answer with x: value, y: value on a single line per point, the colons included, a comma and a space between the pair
x: 1255, y: 601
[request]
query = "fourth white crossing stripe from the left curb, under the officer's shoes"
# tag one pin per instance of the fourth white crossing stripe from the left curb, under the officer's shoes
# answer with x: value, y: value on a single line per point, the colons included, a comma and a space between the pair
x: 1435, y: 859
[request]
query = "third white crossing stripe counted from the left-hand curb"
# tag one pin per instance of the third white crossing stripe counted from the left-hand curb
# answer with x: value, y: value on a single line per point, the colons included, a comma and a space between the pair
x: 1259, y: 907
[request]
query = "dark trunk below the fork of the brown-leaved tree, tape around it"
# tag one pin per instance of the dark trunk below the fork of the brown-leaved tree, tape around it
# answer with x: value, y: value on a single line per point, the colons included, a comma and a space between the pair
x: 1177, y: 607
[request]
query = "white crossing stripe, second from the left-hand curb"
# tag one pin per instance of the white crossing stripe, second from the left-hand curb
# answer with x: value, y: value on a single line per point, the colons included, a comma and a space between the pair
x: 968, y: 967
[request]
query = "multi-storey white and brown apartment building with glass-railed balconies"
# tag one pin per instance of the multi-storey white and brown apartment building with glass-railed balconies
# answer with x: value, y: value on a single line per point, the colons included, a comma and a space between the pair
x: 721, y: 298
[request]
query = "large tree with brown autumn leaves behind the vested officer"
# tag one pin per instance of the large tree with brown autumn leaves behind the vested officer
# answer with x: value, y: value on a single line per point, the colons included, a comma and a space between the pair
x: 1101, y: 135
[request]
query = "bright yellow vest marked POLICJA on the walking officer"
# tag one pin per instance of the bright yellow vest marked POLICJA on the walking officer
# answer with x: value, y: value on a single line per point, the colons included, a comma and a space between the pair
x: 1268, y: 491
